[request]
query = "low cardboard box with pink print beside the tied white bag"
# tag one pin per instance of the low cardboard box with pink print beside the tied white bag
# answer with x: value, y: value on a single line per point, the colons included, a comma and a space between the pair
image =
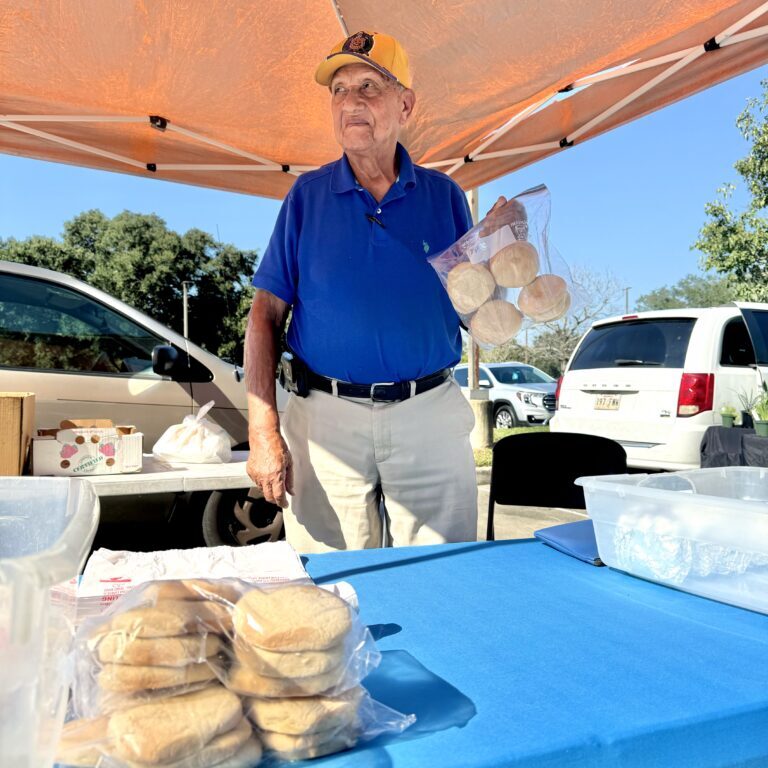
x: 87, y: 447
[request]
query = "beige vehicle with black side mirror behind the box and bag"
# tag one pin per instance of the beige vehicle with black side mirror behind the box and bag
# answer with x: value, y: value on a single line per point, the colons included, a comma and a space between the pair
x: 86, y: 354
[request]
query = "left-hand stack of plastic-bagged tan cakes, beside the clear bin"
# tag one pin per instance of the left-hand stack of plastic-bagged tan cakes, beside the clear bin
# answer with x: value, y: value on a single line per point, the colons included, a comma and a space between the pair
x: 147, y: 683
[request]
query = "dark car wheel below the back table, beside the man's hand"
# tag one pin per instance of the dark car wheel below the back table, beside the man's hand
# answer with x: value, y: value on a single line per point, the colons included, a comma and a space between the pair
x: 241, y: 517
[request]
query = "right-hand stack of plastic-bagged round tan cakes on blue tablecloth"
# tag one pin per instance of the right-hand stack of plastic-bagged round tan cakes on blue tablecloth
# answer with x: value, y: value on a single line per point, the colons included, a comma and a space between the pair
x: 296, y: 658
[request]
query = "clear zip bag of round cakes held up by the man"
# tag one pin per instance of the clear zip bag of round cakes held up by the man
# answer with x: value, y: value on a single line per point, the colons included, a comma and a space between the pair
x: 504, y: 274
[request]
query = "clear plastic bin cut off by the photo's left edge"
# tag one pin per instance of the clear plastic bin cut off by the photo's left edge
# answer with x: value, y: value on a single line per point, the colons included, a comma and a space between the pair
x: 47, y: 526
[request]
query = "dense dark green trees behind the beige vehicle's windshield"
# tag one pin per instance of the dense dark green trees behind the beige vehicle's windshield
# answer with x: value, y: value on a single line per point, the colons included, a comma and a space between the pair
x: 136, y: 258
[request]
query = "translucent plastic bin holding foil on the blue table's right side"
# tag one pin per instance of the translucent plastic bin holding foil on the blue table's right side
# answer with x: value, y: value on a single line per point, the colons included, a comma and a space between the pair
x: 704, y: 531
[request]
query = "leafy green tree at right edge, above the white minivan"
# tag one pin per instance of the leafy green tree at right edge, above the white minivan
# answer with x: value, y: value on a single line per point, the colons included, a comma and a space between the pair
x: 736, y: 244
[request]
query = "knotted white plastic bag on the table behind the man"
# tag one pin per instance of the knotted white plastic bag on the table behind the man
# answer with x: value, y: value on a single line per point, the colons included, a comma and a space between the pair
x: 195, y: 441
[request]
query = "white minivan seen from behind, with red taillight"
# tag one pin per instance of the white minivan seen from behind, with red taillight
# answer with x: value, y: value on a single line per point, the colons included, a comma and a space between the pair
x: 654, y: 381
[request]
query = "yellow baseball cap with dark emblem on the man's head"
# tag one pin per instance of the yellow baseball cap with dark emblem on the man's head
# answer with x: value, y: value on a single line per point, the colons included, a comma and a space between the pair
x: 379, y: 51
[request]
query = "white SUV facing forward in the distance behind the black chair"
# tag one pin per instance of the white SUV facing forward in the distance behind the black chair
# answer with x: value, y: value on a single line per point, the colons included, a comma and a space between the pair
x: 521, y: 394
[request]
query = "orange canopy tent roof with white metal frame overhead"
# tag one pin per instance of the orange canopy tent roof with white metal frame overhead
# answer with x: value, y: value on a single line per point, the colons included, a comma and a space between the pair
x: 220, y: 93
